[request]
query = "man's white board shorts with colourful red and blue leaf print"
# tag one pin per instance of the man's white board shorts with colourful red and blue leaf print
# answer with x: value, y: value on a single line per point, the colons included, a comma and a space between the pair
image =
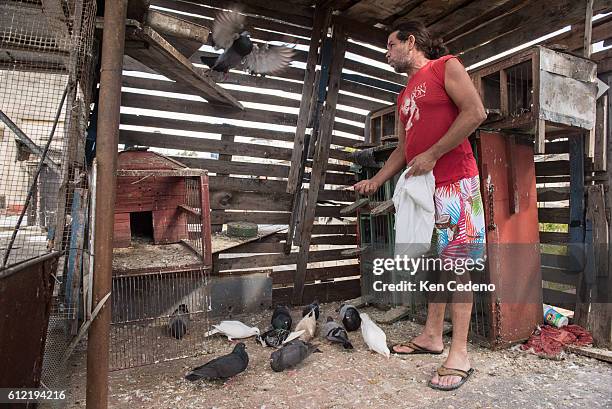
x: 459, y: 220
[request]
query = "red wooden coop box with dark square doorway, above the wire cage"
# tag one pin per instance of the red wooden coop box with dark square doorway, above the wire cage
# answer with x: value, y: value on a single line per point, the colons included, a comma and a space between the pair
x: 161, y: 201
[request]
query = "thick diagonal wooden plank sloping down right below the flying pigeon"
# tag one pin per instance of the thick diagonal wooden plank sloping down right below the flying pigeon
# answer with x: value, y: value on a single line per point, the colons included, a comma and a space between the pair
x: 166, y: 59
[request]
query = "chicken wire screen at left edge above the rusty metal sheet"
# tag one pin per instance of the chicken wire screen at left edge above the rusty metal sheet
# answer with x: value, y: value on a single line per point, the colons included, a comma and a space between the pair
x: 47, y: 62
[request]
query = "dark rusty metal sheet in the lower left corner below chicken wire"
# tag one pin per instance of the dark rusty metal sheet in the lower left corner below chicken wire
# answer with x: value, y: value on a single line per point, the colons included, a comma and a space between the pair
x: 25, y: 304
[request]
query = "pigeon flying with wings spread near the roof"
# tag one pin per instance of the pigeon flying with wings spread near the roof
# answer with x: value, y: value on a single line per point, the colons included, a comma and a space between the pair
x: 229, y: 34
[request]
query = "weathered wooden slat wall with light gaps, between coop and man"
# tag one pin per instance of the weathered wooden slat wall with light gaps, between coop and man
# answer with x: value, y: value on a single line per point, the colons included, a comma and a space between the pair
x: 249, y: 184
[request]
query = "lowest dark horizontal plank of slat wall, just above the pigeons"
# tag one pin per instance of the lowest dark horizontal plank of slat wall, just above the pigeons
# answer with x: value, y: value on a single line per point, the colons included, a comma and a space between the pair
x: 324, y: 292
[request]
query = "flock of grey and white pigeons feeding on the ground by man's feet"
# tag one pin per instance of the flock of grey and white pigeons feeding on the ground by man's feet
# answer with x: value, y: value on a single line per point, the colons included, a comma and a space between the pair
x: 292, y: 346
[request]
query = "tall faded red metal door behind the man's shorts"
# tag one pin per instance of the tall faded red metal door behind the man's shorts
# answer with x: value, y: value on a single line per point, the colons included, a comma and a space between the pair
x: 513, y: 249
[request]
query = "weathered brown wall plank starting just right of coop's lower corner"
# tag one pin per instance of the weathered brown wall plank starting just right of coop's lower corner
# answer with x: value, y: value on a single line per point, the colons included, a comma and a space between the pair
x: 269, y: 260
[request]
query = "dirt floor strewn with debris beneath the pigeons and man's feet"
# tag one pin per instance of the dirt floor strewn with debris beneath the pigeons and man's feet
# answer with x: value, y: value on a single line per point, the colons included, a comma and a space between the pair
x: 358, y: 379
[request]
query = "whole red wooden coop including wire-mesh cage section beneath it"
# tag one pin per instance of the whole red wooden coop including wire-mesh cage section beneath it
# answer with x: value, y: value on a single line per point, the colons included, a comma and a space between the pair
x: 162, y: 261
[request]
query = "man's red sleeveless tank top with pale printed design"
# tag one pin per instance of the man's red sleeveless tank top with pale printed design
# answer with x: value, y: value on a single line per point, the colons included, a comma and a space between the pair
x: 427, y: 112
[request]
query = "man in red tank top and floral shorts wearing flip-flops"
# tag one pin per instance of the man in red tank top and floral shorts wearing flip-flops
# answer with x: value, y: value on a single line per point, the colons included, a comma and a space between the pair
x: 439, y: 108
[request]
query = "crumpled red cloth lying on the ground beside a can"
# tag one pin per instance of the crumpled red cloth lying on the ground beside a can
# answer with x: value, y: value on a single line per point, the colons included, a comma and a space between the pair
x: 550, y: 341
